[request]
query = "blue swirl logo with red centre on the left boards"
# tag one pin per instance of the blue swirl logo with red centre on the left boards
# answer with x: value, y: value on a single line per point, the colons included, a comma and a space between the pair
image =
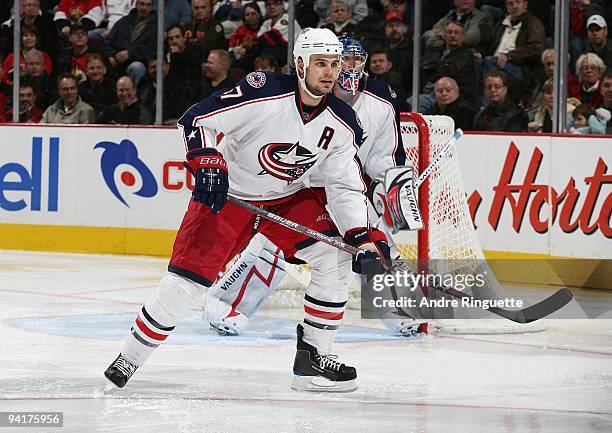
x: 125, y: 156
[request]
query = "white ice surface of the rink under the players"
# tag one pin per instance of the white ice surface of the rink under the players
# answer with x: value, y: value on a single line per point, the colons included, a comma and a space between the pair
x: 63, y: 318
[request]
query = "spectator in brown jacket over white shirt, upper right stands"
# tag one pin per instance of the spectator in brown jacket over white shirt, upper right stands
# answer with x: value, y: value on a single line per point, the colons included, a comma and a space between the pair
x: 518, y: 42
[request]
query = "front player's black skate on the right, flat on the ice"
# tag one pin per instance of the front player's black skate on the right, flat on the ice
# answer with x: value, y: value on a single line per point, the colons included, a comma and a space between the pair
x: 314, y: 372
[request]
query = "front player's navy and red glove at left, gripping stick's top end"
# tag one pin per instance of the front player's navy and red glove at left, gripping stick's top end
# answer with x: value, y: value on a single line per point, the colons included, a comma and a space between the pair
x: 210, y: 172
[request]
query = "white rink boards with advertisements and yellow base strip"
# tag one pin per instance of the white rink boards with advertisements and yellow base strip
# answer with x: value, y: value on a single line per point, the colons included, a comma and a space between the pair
x: 124, y: 190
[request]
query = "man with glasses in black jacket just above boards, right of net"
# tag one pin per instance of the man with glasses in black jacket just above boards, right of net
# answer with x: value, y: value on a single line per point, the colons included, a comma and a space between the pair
x: 501, y: 114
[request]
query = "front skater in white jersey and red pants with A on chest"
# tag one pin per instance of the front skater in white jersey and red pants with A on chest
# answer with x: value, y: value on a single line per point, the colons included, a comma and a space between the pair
x: 262, y: 141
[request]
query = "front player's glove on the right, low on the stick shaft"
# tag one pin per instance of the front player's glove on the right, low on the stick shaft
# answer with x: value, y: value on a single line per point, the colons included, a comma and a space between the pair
x: 376, y: 255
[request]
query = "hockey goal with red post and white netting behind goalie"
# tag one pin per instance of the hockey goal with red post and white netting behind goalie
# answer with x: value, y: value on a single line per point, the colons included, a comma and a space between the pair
x: 448, y: 242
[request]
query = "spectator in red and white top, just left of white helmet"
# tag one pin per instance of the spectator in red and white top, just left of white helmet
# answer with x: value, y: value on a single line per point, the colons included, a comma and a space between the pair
x: 273, y: 34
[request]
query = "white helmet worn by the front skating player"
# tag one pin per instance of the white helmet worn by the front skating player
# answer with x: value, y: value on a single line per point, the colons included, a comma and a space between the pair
x: 314, y: 41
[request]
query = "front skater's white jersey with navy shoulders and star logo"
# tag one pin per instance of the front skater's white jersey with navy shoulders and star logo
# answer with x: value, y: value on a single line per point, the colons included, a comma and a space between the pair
x: 272, y: 147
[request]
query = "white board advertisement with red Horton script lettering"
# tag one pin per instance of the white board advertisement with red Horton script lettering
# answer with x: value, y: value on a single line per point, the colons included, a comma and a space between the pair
x: 542, y: 195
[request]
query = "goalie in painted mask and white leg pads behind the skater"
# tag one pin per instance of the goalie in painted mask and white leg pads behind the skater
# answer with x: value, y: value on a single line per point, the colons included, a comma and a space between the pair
x: 259, y: 270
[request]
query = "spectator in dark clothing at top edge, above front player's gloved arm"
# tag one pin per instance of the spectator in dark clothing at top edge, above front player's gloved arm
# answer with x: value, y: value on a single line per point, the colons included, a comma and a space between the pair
x: 204, y: 30
